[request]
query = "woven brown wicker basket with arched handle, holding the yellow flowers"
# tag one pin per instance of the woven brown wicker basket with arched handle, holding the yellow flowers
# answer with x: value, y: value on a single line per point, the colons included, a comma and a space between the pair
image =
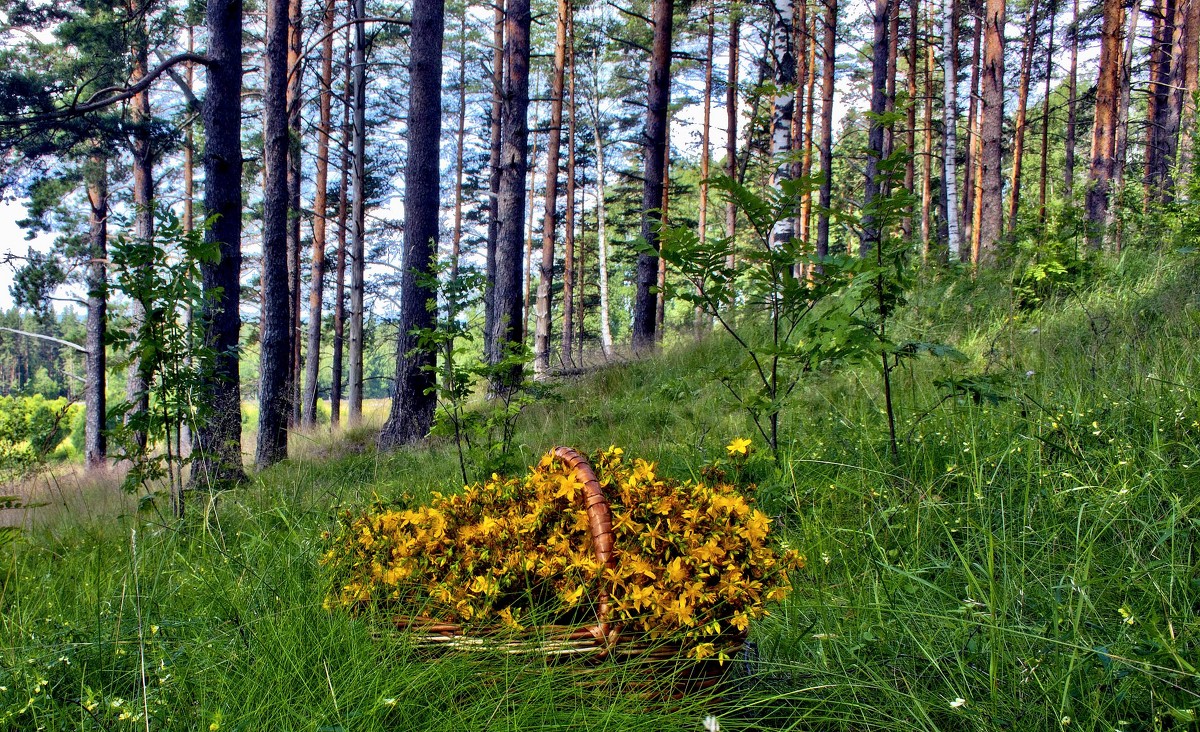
x: 593, y: 641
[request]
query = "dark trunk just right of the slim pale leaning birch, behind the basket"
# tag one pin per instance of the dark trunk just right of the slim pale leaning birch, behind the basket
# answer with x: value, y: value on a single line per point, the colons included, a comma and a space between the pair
x: 655, y: 155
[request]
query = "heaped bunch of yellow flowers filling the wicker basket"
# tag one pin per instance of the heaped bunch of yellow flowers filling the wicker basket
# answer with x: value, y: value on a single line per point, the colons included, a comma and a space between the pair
x: 693, y: 561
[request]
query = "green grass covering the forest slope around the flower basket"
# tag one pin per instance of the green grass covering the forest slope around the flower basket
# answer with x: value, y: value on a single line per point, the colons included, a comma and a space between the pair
x: 1027, y: 565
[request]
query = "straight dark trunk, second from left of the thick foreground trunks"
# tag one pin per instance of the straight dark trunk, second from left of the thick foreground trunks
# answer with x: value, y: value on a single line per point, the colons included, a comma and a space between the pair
x: 274, y: 405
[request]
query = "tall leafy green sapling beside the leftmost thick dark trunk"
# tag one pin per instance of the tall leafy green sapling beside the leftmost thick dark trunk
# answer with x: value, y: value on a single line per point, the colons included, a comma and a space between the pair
x: 163, y: 274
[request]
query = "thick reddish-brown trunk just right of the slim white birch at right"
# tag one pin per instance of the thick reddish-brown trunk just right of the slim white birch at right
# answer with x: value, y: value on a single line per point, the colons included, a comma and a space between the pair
x: 992, y: 134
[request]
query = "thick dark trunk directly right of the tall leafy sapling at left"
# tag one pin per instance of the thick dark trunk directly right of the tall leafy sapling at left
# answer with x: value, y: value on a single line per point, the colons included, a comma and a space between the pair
x: 218, y: 440
